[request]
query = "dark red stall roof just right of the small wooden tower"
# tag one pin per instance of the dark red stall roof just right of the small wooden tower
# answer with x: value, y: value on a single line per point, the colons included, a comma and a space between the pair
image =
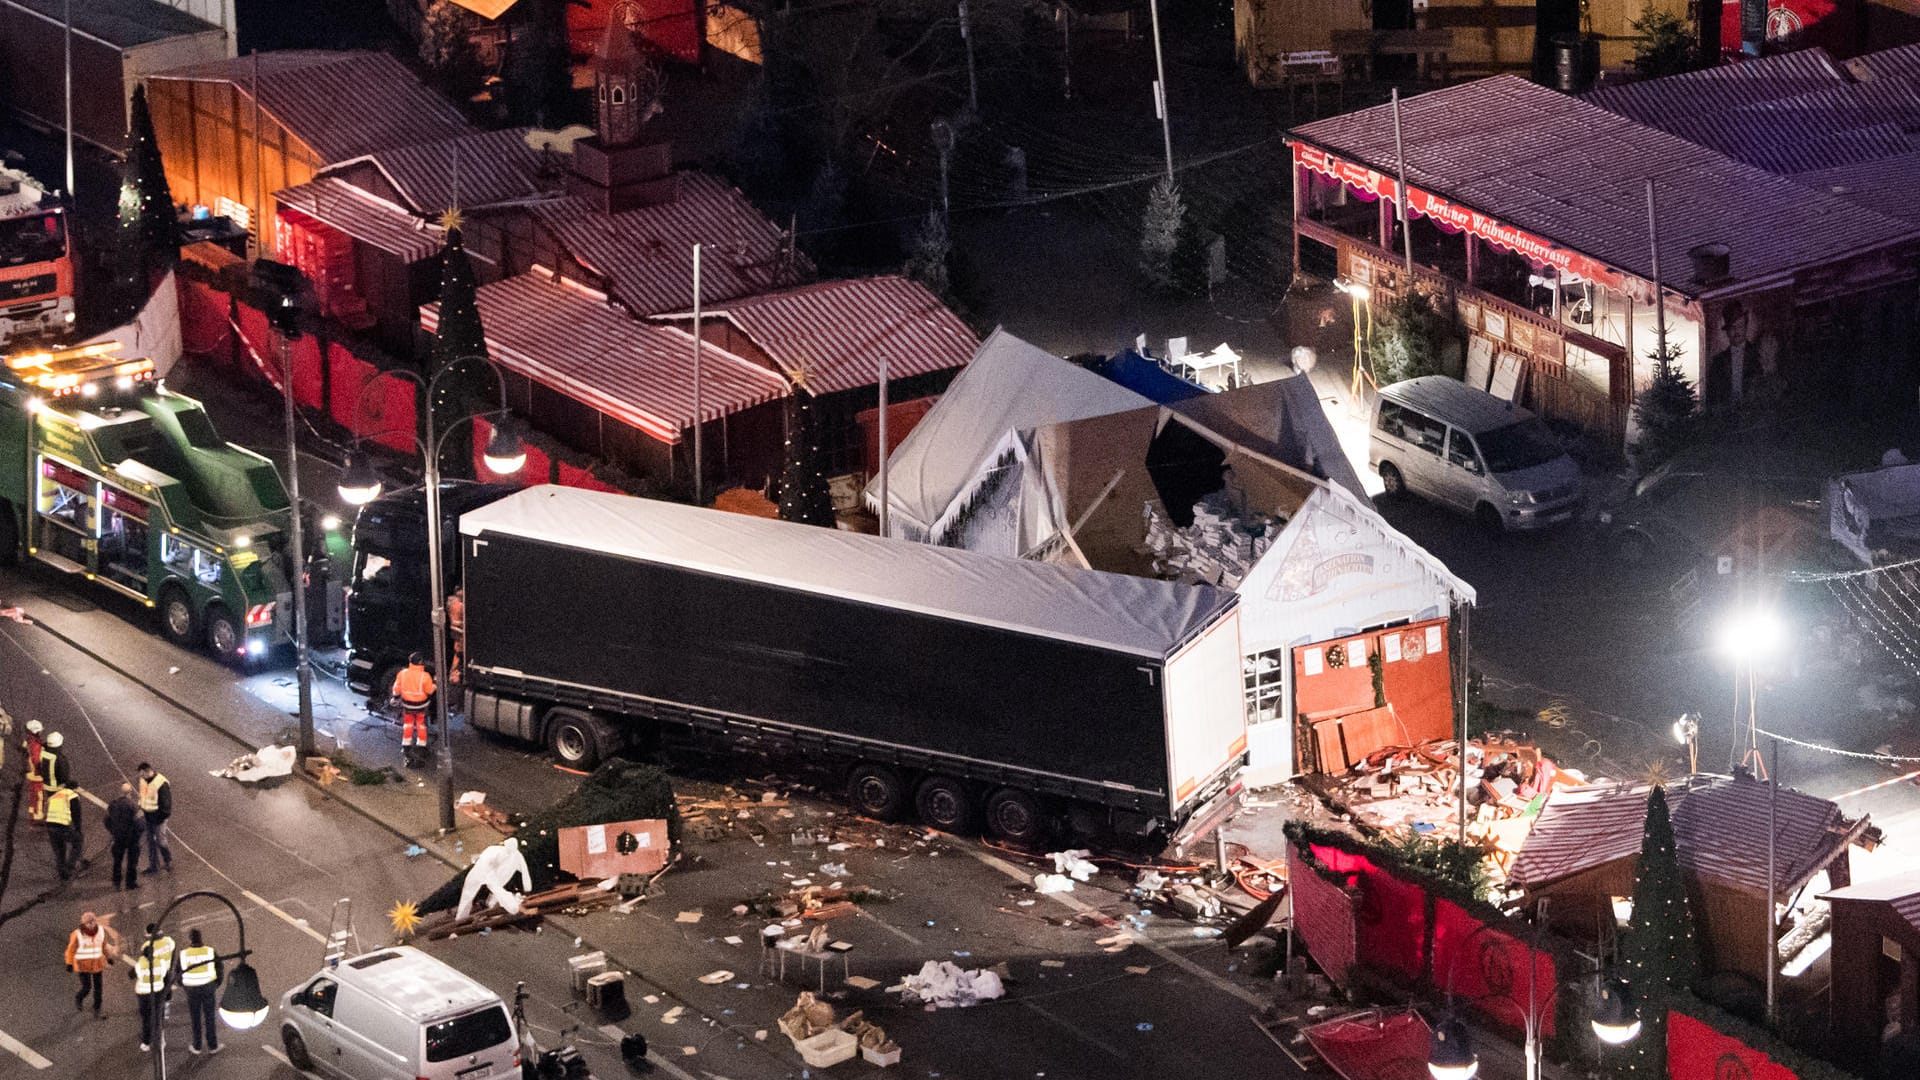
x: 648, y: 253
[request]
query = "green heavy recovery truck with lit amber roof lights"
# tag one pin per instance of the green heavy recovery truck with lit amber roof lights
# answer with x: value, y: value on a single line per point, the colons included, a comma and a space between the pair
x: 108, y: 476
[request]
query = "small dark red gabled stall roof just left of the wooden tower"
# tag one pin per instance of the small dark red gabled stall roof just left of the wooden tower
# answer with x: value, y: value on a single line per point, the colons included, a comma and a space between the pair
x: 492, y: 166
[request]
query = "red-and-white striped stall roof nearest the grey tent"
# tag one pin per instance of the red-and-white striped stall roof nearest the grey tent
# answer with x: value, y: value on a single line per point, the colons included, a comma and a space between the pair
x: 840, y: 331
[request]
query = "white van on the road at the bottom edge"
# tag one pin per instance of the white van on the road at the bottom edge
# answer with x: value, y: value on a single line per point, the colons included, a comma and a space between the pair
x: 398, y: 1016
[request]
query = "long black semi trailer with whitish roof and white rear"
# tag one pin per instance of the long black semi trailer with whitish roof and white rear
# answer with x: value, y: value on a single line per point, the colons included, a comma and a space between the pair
x: 967, y: 689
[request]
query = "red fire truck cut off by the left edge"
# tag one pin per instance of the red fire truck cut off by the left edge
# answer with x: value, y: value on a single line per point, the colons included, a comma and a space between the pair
x: 36, y: 260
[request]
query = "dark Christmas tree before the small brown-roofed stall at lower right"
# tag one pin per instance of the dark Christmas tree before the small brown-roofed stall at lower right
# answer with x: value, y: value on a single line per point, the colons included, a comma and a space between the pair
x: 1660, y: 958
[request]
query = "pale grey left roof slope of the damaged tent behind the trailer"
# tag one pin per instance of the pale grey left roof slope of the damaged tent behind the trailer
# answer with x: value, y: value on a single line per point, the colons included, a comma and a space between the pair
x: 1011, y: 385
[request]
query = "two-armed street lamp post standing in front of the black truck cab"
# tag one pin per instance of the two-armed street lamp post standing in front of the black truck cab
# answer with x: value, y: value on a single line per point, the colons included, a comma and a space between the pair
x: 362, y: 485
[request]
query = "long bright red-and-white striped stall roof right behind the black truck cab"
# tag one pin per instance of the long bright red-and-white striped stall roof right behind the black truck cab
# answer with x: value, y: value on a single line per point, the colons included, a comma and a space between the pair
x: 569, y: 339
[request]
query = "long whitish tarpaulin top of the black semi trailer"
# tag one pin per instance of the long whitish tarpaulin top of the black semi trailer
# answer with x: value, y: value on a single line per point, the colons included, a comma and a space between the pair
x: 1116, y: 612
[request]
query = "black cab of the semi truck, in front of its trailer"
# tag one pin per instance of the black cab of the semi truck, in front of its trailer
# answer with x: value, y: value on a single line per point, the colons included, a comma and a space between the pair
x: 391, y: 608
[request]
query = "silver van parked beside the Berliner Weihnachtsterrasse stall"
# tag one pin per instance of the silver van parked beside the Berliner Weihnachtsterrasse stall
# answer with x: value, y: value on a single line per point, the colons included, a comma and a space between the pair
x: 1470, y: 451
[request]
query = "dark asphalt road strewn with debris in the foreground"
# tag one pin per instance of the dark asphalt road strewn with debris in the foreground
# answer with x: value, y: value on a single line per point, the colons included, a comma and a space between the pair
x: 1153, y: 1002
